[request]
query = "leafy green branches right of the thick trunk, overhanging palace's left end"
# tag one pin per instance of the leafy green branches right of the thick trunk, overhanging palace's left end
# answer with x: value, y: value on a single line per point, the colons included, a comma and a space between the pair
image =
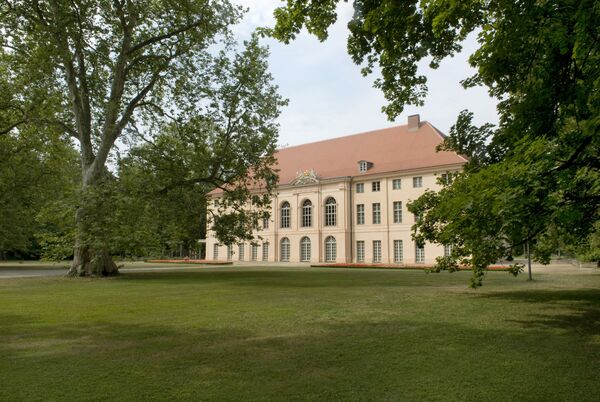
x: 225, y: 144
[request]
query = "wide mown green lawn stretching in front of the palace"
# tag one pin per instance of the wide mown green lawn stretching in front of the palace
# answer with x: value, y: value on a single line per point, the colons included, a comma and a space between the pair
x: 243, y: 333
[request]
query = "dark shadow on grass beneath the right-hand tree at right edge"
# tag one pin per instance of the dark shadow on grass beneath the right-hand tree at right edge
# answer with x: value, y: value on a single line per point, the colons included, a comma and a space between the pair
x: 583, y: 316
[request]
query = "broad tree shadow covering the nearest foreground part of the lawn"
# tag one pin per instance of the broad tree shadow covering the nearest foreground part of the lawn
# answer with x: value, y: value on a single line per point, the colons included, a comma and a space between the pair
x: 397, y: 359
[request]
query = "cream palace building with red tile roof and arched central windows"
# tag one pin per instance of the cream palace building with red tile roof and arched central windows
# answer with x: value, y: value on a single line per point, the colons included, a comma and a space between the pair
x: 344, y: 199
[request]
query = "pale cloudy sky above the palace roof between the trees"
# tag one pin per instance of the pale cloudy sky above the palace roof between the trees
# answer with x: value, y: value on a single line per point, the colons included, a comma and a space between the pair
x: 328, y: 97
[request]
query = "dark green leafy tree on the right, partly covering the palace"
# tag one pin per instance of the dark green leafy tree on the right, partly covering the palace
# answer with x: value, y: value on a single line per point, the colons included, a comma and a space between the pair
x: 535, y: 177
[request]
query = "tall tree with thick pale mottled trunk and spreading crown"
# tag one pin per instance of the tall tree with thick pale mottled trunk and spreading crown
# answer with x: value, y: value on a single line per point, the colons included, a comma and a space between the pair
x: 101, y: 69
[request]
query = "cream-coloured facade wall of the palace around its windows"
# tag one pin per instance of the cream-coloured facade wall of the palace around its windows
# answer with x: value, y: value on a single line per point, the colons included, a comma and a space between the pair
x: 346, y: 231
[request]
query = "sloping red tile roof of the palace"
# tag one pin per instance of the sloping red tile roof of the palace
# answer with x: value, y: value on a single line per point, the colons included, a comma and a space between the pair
x: 391, y: 149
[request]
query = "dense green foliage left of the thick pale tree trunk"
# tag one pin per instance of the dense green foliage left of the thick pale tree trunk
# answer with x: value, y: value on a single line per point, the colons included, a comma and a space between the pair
x: 38, y: 176
